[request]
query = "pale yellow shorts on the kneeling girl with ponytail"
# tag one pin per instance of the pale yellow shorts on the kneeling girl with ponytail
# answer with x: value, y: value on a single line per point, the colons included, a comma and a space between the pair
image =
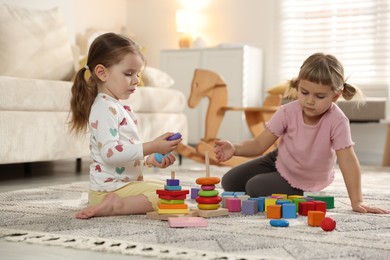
x: 147, y: 188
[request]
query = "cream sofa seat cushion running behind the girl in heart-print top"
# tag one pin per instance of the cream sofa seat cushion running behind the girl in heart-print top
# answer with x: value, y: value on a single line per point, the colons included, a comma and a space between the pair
x: 54, y: 95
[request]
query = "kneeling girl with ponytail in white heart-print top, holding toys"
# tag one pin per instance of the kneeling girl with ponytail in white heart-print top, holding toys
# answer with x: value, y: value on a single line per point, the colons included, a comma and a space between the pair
x: 117, y: 186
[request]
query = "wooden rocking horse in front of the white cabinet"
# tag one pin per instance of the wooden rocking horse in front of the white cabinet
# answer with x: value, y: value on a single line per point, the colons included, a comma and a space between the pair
x: 208, y: 84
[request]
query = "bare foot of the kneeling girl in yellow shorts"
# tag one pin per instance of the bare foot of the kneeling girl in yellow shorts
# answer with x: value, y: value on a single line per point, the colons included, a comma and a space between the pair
x: 106, y: 208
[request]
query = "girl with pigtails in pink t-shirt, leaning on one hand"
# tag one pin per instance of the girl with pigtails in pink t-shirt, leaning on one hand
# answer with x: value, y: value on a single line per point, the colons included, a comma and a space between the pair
x: 314, y: 133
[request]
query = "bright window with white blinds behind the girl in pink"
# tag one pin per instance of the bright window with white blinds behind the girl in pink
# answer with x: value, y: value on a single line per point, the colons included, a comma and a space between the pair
x: 357, y: 32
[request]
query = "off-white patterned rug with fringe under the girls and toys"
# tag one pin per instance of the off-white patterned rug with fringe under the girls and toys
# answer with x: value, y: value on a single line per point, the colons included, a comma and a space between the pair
x: 46, y: 216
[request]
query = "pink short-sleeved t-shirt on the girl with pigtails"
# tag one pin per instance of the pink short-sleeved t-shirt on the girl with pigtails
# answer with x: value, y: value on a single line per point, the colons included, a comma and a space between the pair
x: 307, y: 154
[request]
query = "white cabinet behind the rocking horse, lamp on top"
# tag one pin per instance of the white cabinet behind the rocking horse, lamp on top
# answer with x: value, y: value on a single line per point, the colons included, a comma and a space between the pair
x: 241, y: 69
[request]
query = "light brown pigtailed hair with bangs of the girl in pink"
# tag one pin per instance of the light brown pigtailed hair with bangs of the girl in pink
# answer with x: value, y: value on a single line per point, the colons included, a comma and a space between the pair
x: 326, y: 70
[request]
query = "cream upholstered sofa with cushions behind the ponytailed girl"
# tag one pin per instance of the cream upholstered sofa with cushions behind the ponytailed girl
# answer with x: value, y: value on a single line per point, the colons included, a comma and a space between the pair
x: 37, y: 65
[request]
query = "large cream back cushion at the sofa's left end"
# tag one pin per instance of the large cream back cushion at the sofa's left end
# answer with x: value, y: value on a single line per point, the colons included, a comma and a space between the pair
x: 34, y: 44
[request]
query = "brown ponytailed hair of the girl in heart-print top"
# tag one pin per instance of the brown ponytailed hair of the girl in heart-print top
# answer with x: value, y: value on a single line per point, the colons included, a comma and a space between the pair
x: 107, y: 49
